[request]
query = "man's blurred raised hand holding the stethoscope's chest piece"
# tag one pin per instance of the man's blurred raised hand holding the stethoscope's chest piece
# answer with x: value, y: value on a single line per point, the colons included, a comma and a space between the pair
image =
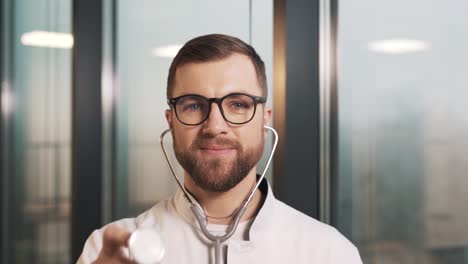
x: 115, y: 239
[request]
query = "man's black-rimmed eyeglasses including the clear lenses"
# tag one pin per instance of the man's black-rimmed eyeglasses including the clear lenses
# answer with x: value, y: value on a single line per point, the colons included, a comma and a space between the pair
x: 236, y: 108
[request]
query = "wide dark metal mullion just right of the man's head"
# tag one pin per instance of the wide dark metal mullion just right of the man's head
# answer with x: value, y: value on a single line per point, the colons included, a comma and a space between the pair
x: 301, y: 164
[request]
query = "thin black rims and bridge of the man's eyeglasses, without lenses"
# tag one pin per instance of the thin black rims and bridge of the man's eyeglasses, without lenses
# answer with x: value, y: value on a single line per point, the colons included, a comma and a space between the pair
x: 256, y: 99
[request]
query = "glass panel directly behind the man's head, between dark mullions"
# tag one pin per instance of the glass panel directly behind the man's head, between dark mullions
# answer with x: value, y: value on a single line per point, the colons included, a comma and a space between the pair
x: 147, y: 34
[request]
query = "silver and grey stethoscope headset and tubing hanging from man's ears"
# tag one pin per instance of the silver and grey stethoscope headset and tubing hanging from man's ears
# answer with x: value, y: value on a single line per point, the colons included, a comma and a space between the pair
x: 199, y: 212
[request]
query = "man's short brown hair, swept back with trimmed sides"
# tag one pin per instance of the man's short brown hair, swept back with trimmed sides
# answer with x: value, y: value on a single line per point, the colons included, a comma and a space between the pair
x: 215, y: 47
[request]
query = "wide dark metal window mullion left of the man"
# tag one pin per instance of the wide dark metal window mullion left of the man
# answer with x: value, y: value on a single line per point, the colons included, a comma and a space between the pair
x: 87, y: 178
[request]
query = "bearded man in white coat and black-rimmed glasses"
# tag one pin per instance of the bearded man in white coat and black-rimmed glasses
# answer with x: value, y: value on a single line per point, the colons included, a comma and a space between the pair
x: 218, y: 142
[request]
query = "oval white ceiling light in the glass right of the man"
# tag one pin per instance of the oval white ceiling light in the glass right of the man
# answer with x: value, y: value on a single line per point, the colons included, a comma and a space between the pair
x: 398, y: 46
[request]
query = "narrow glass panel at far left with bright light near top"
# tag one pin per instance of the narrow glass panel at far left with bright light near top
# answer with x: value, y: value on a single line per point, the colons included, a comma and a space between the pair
x: 39, y: 146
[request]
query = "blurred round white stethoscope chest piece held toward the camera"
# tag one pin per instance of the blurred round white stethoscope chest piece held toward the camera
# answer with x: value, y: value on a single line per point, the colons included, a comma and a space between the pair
x: 146, y: 246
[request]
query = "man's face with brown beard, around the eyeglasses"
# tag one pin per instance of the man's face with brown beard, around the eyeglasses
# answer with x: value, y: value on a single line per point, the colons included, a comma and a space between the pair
x: 216, y: 154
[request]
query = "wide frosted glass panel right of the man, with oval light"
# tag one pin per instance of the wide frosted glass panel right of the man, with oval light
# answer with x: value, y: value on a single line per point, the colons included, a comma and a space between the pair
x: 402, y: 195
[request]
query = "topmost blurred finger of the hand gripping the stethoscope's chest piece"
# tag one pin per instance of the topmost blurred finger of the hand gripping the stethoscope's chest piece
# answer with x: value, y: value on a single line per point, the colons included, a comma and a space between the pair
x: 114, y: 238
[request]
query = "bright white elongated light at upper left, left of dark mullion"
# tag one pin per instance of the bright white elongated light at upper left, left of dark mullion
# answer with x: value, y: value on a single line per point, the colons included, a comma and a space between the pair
x: 47, y: 39
